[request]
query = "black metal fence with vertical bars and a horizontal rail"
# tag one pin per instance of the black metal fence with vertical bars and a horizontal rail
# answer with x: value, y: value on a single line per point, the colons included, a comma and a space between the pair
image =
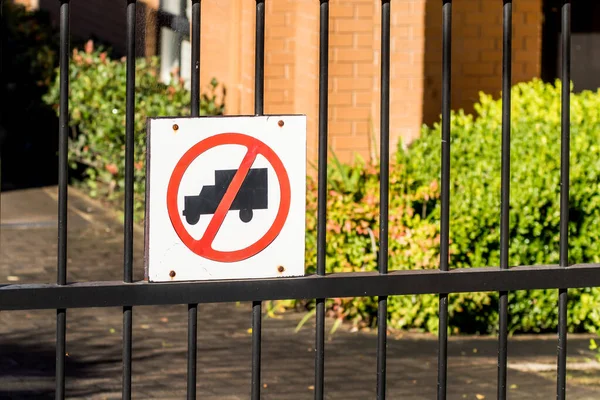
x: 126, y: 293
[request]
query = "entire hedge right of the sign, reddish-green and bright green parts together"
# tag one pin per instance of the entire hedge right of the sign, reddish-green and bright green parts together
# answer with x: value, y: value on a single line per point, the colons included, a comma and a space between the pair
x: 353, y: 202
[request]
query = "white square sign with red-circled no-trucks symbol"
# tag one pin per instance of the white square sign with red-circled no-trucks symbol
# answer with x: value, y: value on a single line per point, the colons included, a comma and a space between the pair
x: 226, y: 197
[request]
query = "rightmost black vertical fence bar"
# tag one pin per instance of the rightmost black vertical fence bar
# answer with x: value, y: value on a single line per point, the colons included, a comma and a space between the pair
x: 564, y: 195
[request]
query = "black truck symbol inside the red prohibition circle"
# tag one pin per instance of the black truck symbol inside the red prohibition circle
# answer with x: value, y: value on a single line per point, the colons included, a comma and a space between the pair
x: 251, y: 196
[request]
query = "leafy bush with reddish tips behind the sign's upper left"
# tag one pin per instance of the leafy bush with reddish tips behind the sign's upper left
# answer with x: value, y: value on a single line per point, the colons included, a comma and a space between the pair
x: 97, y: 116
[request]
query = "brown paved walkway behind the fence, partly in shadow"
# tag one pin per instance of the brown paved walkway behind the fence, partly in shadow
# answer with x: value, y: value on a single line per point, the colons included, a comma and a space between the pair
x: 27, y: 254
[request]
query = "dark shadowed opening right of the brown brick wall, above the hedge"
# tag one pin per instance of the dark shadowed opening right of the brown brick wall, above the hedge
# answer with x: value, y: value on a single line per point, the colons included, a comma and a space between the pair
x: 585, y: 44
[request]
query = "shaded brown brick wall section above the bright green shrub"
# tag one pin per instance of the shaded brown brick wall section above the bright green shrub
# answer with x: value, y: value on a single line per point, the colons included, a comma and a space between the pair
x: 477, y: 50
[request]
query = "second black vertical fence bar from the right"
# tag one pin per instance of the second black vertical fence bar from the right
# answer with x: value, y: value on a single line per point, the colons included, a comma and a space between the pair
x: 505, y: 193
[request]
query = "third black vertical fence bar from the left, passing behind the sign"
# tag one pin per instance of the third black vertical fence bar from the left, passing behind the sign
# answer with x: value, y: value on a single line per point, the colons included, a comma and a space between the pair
x: 195, y: 112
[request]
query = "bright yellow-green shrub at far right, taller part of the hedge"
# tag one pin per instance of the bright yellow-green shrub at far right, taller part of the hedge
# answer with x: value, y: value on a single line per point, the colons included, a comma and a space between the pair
x: 535, y: 194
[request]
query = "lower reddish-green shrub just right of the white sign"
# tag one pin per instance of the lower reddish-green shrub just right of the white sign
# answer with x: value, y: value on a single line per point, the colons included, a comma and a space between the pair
x: 352, y: 243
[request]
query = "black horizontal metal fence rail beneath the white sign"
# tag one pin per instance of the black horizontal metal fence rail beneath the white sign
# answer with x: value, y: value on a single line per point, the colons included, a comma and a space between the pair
x: 109, y: 294
